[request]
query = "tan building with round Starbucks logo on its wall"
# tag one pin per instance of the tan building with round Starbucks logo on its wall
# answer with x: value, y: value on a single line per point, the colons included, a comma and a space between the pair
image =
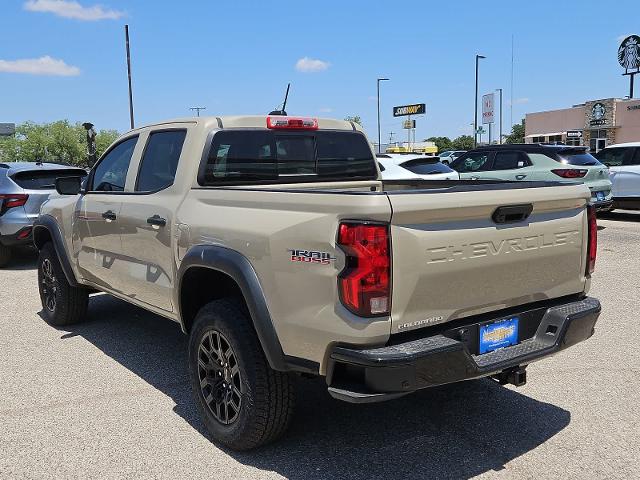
x: 596, y: 124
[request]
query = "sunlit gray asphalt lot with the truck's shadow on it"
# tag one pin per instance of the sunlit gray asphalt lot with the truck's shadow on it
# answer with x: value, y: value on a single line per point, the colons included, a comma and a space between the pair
x: 110, y: 399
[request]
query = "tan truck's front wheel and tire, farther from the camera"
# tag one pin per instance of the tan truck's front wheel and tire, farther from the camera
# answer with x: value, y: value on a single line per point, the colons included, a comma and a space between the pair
x: 62, y: 304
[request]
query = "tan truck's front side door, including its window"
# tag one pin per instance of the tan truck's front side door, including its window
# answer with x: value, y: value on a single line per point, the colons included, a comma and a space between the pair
x: 97, y: 218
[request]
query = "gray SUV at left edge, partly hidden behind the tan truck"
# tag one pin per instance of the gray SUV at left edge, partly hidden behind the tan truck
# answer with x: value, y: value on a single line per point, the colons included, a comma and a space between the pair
x: 24, y: 186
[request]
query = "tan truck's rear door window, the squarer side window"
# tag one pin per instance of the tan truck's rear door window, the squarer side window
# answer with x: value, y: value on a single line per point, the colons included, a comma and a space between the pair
x: 160, y: 160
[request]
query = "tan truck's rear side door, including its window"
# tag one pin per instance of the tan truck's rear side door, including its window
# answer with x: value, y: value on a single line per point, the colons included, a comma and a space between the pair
x: 147, y: 220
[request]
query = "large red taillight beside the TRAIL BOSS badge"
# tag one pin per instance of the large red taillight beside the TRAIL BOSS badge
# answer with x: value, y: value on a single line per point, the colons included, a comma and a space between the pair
x: 365, y: 283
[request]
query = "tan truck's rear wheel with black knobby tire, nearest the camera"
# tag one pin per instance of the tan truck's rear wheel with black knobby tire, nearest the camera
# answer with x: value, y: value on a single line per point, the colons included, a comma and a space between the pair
x: 258, y: 403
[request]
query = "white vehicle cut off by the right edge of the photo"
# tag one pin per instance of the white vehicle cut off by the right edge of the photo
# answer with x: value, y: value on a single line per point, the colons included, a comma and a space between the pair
x: 623, y: 161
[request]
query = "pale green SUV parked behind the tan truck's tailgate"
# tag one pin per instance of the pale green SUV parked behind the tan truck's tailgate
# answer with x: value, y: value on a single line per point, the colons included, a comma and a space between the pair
x: 537, y: 162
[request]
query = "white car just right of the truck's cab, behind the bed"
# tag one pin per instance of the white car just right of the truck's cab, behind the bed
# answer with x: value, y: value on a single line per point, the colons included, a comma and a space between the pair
x: 395, y: 166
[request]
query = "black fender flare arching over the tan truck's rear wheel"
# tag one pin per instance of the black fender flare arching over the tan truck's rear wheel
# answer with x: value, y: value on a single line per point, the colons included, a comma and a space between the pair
x: 239, y: 268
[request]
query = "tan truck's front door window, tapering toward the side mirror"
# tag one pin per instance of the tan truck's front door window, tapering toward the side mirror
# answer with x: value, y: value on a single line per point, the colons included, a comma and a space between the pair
x: 111, y: 173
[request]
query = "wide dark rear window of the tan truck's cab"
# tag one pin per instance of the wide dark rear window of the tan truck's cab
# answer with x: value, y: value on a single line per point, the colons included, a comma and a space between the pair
x: 239, y: 156
